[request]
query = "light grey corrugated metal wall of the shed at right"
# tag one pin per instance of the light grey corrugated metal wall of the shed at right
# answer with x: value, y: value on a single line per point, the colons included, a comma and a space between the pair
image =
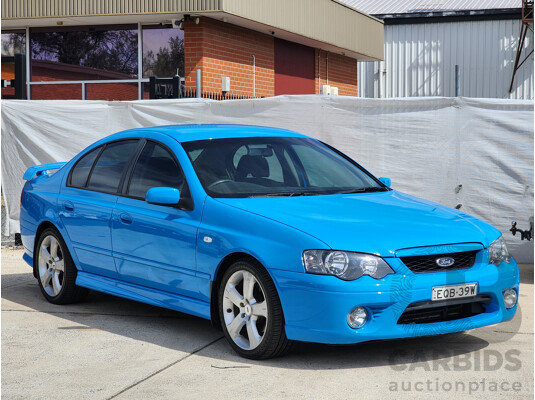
x: 420, y: 60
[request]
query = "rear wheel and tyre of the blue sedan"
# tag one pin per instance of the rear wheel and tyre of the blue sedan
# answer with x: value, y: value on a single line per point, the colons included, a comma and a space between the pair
x: 56, y: 272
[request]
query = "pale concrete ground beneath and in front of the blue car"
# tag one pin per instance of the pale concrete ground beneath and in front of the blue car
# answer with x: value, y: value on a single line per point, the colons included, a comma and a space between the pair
x: 108, y: 348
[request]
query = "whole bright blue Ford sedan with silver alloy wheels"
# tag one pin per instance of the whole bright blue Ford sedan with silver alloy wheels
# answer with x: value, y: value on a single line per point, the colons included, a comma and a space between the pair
x: 273, y: 236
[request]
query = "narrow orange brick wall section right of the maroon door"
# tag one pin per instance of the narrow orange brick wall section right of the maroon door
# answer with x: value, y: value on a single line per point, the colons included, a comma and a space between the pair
x: 342, y: 73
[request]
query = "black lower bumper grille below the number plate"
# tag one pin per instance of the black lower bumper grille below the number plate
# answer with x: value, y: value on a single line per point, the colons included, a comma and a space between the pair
x: 446, y: 310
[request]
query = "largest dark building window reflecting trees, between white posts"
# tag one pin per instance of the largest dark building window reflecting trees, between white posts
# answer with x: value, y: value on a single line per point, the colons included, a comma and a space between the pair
x: 84, y: 54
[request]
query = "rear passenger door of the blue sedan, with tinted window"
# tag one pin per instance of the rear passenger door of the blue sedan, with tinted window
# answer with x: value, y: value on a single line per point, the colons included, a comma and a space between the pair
x: 87, y: 201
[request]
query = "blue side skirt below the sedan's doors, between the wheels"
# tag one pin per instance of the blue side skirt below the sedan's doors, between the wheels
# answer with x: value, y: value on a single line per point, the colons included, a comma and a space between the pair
x: 144, y: 294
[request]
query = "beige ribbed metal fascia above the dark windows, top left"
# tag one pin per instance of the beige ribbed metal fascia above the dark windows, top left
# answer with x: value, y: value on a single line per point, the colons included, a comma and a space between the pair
x: 49, y: 8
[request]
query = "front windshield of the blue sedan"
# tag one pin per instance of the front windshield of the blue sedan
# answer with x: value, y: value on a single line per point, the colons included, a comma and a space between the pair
x: 276, y: 166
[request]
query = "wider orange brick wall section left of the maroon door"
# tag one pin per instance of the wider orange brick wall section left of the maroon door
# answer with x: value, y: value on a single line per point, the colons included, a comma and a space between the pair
x: 220, y: 49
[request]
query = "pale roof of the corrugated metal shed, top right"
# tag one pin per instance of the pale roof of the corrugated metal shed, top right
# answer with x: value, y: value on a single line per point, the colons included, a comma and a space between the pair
x: 375, y: 7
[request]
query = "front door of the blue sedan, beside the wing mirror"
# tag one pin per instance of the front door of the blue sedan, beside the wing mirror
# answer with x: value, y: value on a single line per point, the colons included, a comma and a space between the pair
x: 154, y: 245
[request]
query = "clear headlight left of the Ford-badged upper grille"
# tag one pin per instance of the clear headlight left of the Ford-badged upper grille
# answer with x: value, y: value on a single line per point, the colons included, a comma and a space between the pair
x: 345, y: 265
